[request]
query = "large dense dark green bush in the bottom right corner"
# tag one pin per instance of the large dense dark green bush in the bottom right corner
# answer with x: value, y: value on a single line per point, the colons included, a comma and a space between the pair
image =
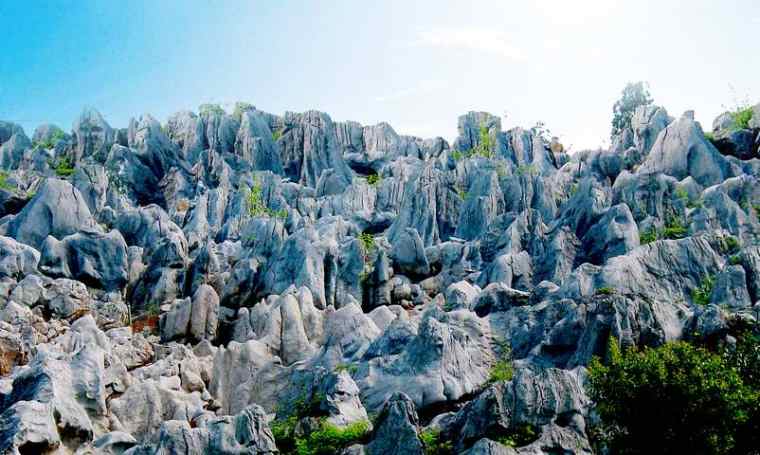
x: 673, y: 399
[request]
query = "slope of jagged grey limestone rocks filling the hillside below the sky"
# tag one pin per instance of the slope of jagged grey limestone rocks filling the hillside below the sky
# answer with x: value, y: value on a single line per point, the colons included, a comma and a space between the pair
x: 182, y: 288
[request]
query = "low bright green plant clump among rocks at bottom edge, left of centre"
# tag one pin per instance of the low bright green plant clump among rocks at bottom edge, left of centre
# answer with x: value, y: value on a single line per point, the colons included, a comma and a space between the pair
x: 330, y: 439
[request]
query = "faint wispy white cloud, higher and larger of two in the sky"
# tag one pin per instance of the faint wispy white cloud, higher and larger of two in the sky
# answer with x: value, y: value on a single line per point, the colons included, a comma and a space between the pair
x: 474, y: 39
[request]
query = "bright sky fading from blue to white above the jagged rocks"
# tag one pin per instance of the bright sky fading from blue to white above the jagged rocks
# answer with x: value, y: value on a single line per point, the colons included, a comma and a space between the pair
x: 417, y: 66
